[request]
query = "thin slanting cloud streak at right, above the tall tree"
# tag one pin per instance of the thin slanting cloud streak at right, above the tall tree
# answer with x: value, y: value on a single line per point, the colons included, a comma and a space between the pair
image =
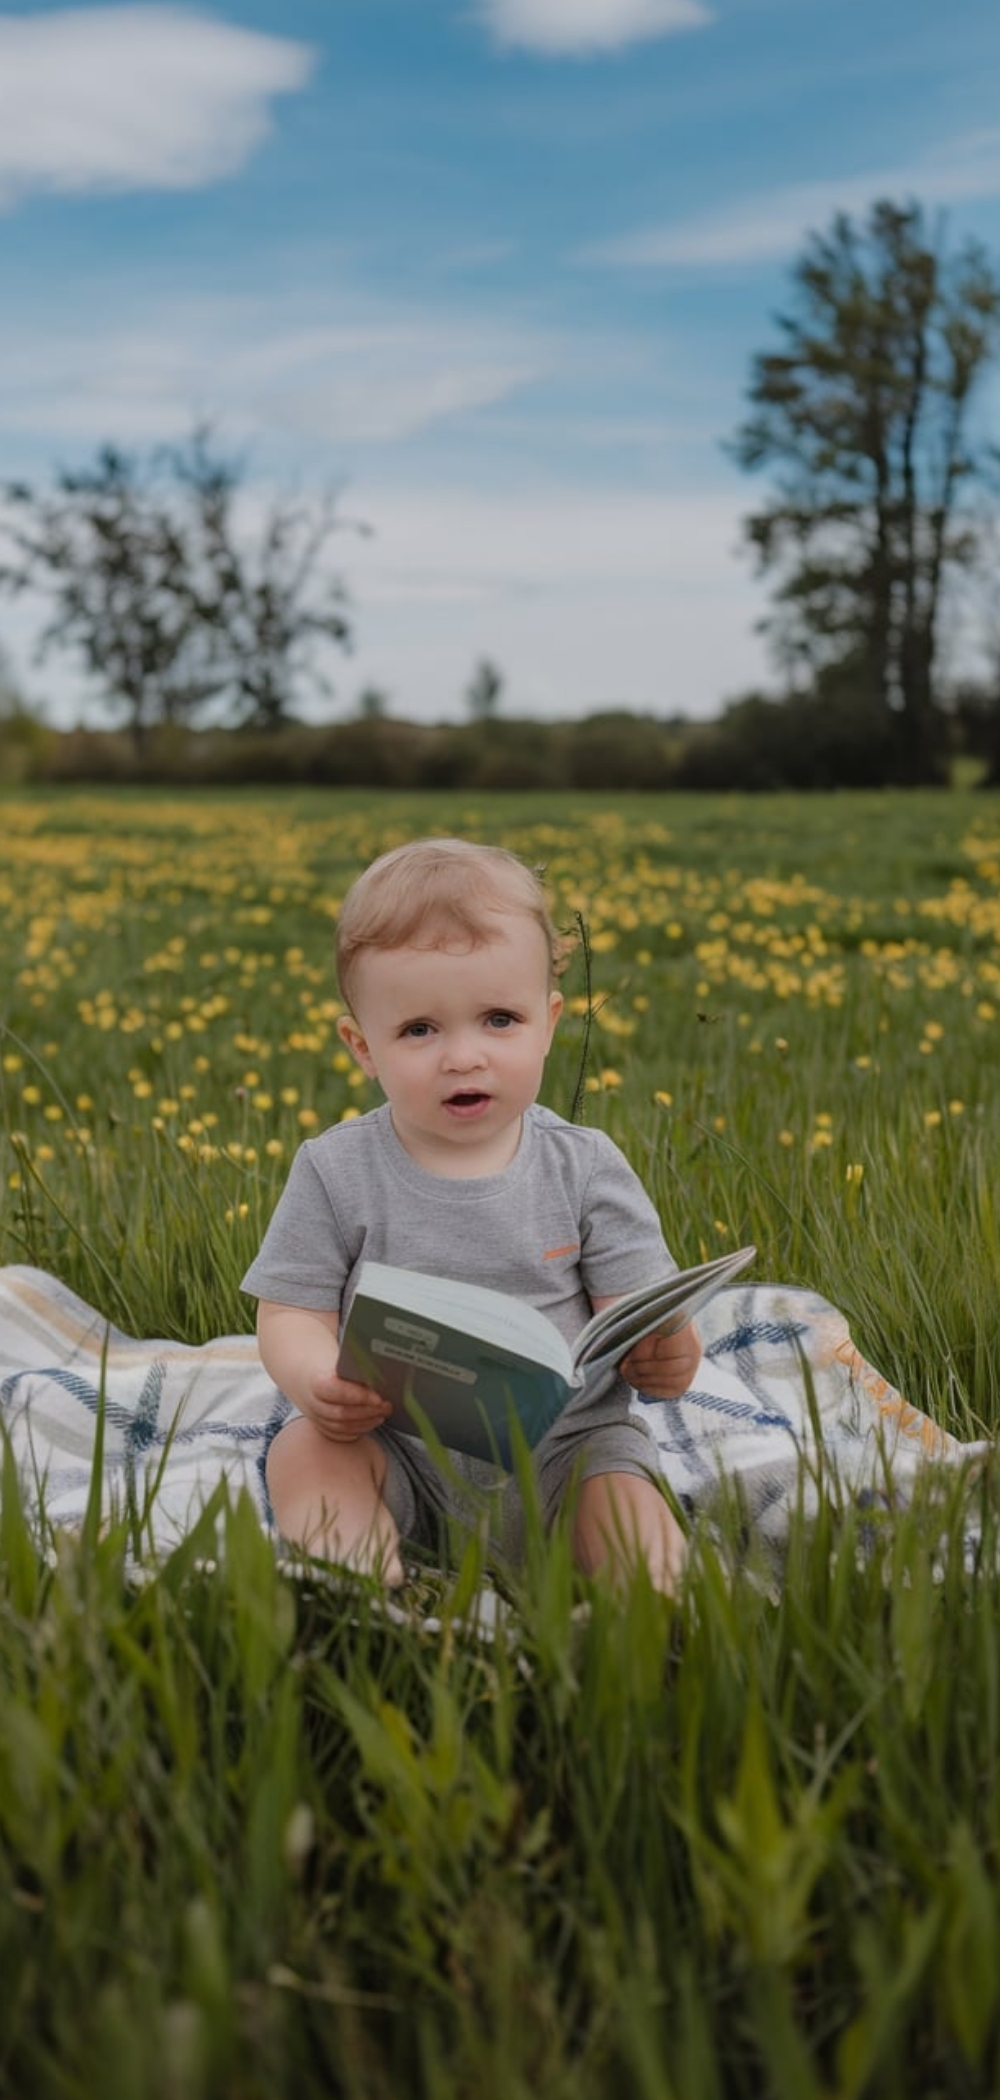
x: 774, y: 222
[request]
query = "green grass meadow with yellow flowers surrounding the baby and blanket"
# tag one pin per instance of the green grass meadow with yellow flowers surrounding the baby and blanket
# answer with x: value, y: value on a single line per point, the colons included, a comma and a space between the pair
x: 255, y: 1836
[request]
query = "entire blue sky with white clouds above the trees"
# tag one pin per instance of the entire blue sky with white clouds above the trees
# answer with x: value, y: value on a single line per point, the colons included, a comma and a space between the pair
x: 497, y: 270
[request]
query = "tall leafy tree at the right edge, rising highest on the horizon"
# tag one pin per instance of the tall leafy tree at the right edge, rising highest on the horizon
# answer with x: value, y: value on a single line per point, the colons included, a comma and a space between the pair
x: 867, y: 415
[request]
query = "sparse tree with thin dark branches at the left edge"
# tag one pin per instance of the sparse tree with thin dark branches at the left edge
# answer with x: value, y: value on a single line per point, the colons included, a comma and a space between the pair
x: 159, y: 591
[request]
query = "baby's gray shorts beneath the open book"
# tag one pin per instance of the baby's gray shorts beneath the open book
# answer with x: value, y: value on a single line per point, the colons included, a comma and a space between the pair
x: 430, y: 1505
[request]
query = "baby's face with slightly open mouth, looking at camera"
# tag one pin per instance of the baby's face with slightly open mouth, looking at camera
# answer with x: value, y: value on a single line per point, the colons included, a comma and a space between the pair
x: 457, y: 1038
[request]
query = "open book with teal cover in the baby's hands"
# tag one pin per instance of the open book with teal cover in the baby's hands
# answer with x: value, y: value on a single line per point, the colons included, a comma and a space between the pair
x: 472, y: 1358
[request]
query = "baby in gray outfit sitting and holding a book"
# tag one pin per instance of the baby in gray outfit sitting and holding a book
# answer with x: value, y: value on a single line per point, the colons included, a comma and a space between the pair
x: 449, y: 969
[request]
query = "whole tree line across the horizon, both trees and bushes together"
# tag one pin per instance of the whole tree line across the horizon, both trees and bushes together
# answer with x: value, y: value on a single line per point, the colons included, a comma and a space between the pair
x: 881, y: 516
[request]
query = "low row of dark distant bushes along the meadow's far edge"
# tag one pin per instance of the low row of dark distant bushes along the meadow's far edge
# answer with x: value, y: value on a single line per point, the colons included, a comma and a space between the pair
x: 808, y: 742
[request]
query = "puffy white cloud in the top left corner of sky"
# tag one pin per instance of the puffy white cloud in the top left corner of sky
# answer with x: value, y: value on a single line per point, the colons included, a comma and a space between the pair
x: 133, y: 98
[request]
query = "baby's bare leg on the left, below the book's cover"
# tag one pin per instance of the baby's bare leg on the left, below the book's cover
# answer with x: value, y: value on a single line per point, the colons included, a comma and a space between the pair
x: 329, y: 1498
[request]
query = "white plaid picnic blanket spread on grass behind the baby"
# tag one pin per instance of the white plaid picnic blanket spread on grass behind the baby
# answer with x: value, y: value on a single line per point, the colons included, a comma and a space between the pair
x: 785, y: 1410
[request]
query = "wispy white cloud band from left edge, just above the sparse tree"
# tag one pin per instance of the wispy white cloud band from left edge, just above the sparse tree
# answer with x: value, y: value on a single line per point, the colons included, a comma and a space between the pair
x: 144, y: 377
